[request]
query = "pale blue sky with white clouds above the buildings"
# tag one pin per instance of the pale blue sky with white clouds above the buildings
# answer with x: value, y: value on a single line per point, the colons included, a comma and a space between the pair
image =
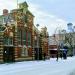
x: 50, y: 13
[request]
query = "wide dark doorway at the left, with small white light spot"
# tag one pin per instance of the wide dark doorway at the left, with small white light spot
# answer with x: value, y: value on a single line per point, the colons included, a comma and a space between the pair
x: 8, y: 54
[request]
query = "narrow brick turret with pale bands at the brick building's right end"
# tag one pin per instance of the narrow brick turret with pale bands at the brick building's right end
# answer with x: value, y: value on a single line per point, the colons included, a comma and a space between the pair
x: 44, y: 36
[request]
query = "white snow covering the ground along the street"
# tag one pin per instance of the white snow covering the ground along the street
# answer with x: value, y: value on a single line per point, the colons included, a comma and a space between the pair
x: 48, y: 67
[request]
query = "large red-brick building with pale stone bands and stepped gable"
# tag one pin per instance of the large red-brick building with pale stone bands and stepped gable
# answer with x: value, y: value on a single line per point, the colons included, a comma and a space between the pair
x: 17, y: 40
